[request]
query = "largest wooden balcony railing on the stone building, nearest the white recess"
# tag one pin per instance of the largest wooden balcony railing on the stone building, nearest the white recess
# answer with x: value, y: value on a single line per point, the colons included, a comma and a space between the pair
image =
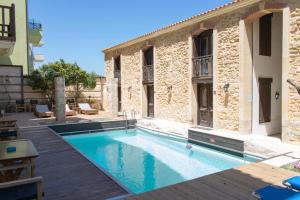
x: 203, y: 66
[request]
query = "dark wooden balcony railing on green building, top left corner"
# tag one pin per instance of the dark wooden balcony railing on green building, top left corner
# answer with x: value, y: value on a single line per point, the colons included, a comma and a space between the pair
x: 7, y: 23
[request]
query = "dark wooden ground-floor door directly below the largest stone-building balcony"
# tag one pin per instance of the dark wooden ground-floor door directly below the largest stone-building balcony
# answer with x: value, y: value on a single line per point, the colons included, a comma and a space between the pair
x: 205, y: 104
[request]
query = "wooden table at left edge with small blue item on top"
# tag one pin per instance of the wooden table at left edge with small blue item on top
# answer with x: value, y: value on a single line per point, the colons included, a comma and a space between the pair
x: 12, y: 164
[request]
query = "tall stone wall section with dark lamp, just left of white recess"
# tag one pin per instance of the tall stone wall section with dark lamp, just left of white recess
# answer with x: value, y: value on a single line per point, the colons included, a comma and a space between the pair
x: 227, y: 72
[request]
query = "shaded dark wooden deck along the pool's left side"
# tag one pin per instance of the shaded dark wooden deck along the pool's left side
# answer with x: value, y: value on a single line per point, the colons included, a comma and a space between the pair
x: 68, y: 175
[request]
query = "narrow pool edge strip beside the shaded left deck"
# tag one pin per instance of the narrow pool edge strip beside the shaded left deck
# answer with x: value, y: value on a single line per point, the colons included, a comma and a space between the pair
x: 99, y: 167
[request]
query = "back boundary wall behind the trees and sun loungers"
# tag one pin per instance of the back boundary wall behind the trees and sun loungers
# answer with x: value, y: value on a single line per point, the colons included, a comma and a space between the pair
x: 14, y: 86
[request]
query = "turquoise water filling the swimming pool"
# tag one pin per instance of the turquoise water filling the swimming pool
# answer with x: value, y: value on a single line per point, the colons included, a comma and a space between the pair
x: 142, y: 161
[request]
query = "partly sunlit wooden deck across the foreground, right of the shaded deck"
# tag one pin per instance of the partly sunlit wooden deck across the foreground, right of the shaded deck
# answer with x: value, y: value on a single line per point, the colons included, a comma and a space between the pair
x: 232, y: 184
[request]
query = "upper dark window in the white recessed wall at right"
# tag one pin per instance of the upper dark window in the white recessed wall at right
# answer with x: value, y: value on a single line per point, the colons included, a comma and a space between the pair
x: 265, y: 35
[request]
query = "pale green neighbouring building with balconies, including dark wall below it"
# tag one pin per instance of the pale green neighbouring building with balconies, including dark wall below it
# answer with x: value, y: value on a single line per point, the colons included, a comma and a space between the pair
x: 18, y: 36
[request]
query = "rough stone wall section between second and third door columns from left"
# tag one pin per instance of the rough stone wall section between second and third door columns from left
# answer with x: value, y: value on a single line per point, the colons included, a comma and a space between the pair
x: 171, y: 77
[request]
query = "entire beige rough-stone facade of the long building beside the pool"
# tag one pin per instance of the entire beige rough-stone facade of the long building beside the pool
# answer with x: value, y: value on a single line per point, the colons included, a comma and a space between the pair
x: 172, y: 69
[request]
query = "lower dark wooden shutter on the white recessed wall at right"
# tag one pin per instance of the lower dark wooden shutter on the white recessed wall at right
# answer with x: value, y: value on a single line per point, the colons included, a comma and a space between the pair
x: 265, y: 99
